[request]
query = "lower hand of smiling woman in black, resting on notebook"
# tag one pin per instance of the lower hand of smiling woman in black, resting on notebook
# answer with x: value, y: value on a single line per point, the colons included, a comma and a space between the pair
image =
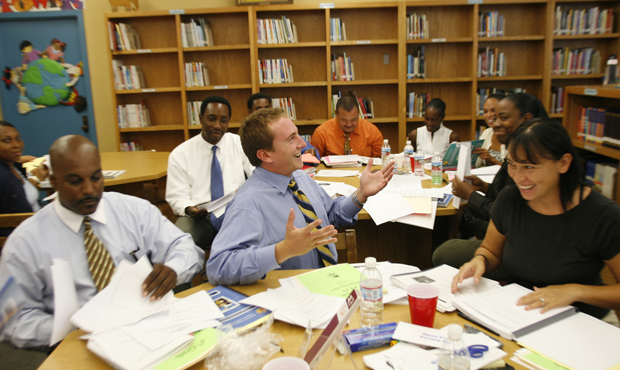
x: 551, y: 297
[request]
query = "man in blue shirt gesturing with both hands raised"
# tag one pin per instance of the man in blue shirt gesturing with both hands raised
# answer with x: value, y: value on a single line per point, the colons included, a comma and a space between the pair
x: 264, y: 228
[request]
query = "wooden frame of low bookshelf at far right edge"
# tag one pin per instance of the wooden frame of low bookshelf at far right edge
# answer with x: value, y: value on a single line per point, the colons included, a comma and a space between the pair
x: 591, y: 96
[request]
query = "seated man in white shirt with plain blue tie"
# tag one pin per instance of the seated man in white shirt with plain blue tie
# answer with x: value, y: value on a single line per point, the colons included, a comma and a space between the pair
x: 204, y: 169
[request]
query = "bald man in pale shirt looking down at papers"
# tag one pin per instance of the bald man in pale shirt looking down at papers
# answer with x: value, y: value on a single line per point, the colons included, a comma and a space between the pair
x: 128, y: 227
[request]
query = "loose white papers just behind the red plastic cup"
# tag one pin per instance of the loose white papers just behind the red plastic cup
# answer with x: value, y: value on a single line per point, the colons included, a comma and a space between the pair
x: 441, y: 277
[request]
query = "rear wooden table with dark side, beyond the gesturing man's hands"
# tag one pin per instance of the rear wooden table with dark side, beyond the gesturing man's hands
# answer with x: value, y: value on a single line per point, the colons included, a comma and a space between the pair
x: 393, y: 241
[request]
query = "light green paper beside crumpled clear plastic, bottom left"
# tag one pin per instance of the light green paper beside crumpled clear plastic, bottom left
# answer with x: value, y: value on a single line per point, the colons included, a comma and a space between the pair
x: 203, y: 343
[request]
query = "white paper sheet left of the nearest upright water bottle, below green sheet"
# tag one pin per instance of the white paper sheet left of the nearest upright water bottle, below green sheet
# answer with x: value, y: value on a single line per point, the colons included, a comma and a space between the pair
x: 297, y: 306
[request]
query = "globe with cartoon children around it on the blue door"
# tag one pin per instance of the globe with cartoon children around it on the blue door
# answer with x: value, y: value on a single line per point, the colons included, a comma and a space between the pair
x: 44, y: 80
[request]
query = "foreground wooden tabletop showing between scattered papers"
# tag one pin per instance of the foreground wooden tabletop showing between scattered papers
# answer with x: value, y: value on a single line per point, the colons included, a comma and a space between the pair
x: 72, y: 352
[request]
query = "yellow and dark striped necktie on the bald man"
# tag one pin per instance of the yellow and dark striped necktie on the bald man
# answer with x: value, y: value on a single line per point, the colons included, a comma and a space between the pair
x: 100, y: 262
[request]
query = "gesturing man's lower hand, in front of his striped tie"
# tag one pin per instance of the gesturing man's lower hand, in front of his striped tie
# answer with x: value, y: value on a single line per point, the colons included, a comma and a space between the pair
x: 298, y: 242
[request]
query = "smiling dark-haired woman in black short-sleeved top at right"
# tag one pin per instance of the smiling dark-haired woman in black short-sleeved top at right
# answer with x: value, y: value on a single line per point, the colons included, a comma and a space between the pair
x: 551, y: 233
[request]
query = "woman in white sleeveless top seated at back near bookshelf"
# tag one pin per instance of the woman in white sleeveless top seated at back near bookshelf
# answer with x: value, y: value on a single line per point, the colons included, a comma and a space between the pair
x: 433, y: 136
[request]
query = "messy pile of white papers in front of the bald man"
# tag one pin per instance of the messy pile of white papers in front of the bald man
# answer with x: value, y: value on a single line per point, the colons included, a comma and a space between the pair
x: 132, y: 332
